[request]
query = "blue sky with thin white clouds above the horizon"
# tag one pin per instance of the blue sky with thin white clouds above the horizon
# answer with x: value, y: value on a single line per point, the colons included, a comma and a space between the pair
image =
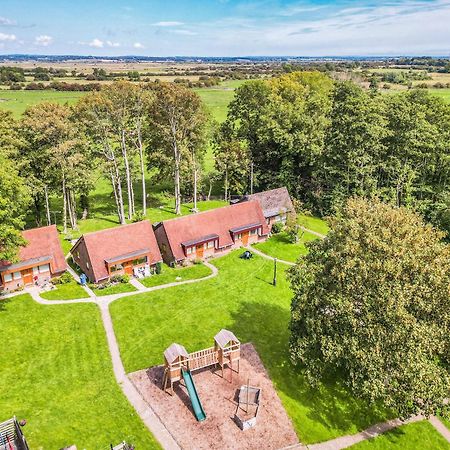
x: 225, y: 27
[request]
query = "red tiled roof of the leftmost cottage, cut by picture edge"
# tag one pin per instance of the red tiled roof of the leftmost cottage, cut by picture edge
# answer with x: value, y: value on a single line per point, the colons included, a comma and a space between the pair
x: 42, y: 242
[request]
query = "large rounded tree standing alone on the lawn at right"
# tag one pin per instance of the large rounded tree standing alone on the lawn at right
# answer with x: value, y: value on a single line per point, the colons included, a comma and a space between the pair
x: 372, y: 306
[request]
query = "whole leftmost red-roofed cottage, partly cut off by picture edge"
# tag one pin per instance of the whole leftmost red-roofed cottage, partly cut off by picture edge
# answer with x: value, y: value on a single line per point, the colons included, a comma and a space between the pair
x: 41, y: 259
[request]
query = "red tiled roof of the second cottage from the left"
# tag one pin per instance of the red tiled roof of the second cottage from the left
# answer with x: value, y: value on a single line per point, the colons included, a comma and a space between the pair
x: 114, y: 242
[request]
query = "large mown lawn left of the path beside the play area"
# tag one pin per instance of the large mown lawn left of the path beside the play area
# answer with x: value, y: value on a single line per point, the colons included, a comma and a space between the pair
x: 57, y: 373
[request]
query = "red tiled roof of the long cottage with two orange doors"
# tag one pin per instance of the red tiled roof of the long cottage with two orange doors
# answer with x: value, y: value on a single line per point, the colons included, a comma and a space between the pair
x: 214, y: 222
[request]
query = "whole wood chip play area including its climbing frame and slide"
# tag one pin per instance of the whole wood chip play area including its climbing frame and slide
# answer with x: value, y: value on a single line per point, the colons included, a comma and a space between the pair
x: 222, y: 397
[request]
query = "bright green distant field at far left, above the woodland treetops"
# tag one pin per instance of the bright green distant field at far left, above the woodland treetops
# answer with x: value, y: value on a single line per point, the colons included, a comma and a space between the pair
x: 19, y: 101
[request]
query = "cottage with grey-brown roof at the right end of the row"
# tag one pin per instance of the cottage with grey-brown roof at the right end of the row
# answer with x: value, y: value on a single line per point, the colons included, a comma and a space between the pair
x: 276, y: 204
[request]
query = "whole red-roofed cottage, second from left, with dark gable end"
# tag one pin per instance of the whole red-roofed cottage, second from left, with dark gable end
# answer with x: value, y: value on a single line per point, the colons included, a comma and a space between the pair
x: 129, y: 249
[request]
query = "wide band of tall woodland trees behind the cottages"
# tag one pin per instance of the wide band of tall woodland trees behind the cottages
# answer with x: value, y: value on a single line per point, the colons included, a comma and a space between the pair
x: 325, y: 140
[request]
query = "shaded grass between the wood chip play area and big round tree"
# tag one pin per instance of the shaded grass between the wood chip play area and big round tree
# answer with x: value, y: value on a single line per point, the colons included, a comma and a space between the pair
x: 320, y: 413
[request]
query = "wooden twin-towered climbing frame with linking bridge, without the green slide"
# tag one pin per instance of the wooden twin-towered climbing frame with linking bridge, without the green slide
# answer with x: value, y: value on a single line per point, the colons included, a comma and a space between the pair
x: 225, y: 352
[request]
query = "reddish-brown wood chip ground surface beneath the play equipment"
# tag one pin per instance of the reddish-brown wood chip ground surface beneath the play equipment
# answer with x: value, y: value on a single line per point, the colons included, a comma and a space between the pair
x: 218, y: 396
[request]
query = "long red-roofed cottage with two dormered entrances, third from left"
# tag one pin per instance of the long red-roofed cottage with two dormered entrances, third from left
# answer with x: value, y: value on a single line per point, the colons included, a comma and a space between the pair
x: 209, y: 233
